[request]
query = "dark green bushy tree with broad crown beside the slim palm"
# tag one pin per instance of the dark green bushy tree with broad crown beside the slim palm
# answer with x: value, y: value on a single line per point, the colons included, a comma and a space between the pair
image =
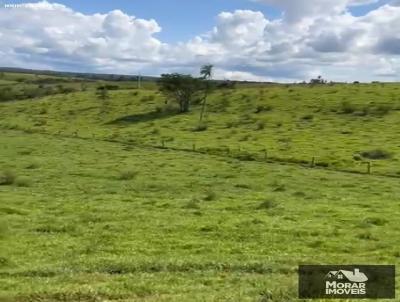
x: 181, y: 88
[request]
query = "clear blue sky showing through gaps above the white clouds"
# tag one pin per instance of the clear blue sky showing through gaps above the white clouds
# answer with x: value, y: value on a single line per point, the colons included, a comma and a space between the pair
x: 181, y: 19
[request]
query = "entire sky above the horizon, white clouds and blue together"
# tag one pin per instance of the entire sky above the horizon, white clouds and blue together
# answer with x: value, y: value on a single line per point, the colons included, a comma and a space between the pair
x: 272, y: 40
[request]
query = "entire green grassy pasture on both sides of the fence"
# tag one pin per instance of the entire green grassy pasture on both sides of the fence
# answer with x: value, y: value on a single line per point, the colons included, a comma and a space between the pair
x: 124, y: 200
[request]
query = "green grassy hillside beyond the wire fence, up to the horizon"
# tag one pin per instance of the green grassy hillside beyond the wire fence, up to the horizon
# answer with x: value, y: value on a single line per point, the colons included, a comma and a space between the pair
x: 341, y: 125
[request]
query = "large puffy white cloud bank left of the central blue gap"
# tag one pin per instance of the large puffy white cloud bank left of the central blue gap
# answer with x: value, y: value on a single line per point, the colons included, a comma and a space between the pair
x: 57, y: 36
